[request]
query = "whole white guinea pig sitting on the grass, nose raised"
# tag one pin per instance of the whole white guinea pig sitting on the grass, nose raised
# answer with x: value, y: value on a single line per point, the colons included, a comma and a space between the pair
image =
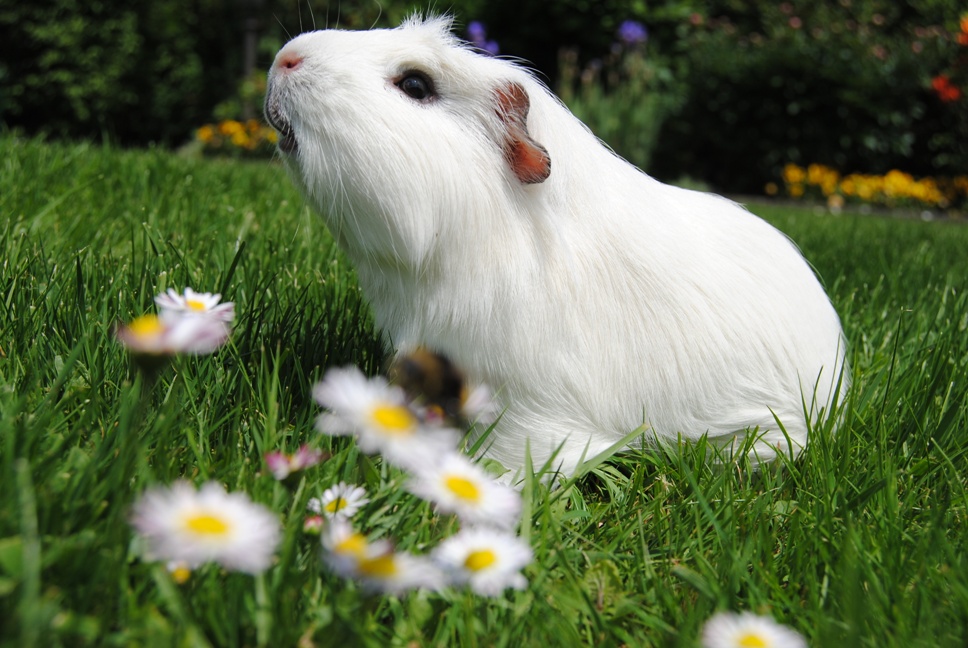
x: 486, y: 222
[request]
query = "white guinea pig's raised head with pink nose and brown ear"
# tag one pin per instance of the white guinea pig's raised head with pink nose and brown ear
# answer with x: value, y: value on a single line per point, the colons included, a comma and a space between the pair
x: 404, y: 139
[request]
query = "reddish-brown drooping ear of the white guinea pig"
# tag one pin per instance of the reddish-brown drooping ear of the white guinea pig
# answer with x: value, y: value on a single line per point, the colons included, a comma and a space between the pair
x: 528, y: 160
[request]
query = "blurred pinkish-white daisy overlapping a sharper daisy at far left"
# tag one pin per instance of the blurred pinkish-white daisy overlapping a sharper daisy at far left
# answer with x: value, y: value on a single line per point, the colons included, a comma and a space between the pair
x: 155, y: 336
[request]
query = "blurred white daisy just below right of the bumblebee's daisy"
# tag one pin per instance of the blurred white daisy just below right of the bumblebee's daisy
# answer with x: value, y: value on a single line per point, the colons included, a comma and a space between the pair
x: 456, y: 485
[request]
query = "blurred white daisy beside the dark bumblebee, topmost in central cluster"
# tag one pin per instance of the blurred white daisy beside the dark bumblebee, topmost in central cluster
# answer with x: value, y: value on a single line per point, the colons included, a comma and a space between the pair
x: 377, y: 413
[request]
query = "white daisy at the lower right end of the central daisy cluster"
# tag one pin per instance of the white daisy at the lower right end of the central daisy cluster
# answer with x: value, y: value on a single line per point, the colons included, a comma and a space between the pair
x: 487, y: 560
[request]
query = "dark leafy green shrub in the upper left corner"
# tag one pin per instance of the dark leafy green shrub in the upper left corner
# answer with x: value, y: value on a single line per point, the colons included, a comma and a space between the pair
x: 134, y: 72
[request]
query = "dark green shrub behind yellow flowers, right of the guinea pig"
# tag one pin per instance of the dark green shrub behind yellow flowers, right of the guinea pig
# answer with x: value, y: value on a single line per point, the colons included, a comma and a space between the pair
x: 845, y: 84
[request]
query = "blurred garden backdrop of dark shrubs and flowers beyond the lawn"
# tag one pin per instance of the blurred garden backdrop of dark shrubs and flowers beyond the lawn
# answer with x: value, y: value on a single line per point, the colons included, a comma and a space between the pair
x: 827, y: 100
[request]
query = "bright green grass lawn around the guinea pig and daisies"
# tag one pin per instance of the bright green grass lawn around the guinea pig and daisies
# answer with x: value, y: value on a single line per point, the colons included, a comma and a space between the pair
x: 859, y: 542
